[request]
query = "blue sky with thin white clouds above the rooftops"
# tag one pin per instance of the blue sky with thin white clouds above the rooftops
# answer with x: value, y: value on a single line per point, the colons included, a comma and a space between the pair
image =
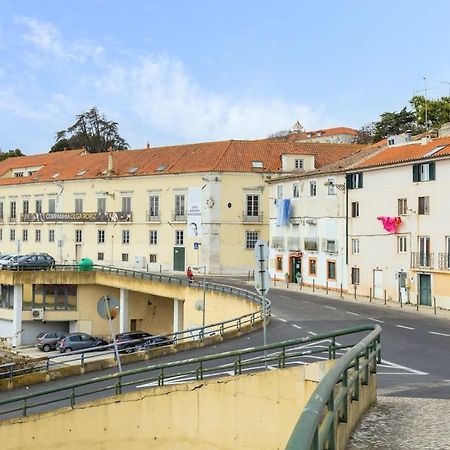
x: 178, y: 71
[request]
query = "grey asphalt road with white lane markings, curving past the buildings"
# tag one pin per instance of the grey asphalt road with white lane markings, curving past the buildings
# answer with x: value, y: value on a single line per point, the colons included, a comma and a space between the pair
x: 415, y: 347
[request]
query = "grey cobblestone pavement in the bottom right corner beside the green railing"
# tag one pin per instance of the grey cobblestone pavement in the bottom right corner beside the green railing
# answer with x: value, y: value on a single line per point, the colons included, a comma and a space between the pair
x: 401, y: 423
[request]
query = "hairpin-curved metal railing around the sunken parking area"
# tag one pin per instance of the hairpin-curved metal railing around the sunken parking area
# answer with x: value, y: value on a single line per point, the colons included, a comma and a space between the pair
x: 10, y: 370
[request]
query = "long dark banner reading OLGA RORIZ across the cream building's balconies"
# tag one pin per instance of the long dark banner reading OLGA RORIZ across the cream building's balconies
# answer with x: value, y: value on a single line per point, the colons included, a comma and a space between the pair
x: 118, y: 216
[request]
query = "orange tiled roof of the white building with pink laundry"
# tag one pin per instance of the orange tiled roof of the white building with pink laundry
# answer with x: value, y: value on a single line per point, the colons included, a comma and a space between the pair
x: 408, y: 152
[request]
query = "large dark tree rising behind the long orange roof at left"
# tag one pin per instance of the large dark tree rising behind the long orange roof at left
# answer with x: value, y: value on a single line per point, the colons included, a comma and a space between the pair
x: 91, y: 131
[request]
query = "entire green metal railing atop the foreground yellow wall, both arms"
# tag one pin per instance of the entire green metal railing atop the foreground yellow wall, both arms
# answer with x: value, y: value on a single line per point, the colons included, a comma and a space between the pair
x: 360, y: 359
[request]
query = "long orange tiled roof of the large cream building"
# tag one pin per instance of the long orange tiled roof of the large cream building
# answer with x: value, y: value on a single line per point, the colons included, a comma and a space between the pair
x: 222, y: 156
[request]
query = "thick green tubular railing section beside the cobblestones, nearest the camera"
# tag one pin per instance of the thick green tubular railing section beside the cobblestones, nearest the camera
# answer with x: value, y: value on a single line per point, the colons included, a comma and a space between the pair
x: 316, y: 428
